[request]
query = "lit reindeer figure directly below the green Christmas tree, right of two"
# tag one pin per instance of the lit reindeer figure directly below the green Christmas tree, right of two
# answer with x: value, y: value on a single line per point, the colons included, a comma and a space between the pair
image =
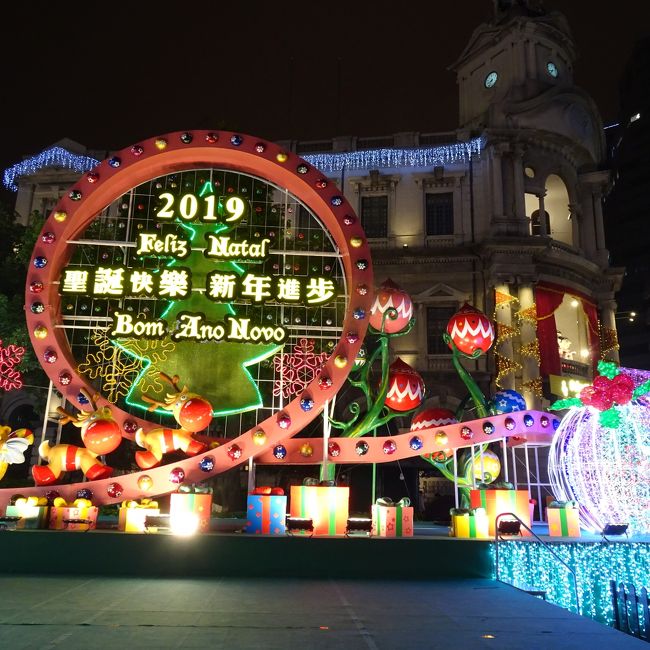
x: 191, y: 411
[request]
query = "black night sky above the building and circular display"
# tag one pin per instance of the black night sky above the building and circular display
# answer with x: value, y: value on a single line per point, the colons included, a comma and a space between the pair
x: 108, y: 74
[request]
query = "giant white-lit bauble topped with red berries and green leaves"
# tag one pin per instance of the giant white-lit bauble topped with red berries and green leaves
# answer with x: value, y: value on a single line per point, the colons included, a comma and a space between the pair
x: 599, y: 455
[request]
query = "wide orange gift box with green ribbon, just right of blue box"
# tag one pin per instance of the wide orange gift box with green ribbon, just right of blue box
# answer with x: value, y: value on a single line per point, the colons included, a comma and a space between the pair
x: 327, y: 507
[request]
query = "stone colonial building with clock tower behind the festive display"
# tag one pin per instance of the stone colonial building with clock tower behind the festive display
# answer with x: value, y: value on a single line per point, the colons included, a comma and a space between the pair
x: 504, y: 213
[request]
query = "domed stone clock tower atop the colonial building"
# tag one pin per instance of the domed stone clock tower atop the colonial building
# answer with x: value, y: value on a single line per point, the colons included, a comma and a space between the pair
x: 517, y: 71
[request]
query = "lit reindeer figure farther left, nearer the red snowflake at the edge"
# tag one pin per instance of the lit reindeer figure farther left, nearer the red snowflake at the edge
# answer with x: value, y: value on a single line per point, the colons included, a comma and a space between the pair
x: 100, y: 434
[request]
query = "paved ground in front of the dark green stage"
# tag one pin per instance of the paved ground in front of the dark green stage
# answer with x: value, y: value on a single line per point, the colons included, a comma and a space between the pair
x: 95, y: 613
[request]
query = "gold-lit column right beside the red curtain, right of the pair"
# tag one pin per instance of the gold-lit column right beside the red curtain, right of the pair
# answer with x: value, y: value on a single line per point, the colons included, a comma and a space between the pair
x: 529, y: 348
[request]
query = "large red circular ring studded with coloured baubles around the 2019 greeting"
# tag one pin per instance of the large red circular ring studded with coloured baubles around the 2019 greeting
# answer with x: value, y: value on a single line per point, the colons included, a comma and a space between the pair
x: 177, y: 152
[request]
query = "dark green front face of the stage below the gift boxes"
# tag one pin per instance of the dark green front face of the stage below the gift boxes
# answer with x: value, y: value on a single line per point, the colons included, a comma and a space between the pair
x: 220, y: 554
